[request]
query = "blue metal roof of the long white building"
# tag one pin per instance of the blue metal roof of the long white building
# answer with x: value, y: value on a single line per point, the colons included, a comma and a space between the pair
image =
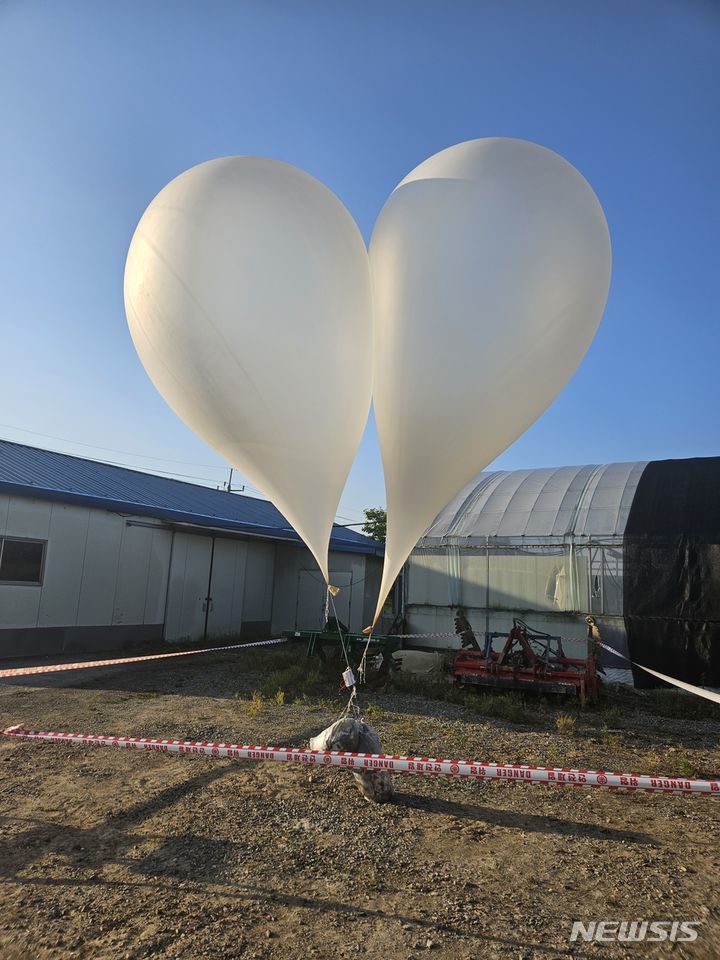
x: 47, y: 475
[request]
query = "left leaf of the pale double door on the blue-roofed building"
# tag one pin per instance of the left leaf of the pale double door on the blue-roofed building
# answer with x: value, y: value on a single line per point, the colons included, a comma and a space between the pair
x: 188, y: 587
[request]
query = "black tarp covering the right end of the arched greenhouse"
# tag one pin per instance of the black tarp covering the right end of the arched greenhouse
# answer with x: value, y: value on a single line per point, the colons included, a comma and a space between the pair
x: 671, y: 579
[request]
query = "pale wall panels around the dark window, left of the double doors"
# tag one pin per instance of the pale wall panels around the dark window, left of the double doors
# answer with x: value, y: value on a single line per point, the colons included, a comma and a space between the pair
x: 103, y: 581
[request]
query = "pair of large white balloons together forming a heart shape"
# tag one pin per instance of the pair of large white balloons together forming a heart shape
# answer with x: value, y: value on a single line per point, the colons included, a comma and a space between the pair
x: 267, y: 326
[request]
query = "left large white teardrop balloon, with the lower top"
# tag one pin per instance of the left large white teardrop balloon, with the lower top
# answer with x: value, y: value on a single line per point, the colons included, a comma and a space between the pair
x: 247, y: 292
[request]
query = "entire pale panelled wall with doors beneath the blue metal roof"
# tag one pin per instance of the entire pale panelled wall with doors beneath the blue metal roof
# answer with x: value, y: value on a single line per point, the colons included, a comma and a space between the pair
x: 110, y: 580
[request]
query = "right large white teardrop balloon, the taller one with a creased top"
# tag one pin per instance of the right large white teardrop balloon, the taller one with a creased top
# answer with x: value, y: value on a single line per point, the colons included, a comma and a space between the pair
x: 491, y: 266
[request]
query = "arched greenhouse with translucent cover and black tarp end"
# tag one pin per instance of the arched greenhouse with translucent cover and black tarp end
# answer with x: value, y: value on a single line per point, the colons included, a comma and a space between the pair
x: 635, y: 545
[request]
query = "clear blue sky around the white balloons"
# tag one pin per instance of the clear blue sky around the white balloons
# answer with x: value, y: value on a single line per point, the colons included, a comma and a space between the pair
x: 102, y: 103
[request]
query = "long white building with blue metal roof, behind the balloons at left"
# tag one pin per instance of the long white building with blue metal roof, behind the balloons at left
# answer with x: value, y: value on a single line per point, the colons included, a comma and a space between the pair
x: 94, y: 557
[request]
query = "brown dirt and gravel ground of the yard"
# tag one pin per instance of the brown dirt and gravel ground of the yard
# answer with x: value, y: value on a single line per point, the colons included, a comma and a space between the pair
x: 112, y: 854
